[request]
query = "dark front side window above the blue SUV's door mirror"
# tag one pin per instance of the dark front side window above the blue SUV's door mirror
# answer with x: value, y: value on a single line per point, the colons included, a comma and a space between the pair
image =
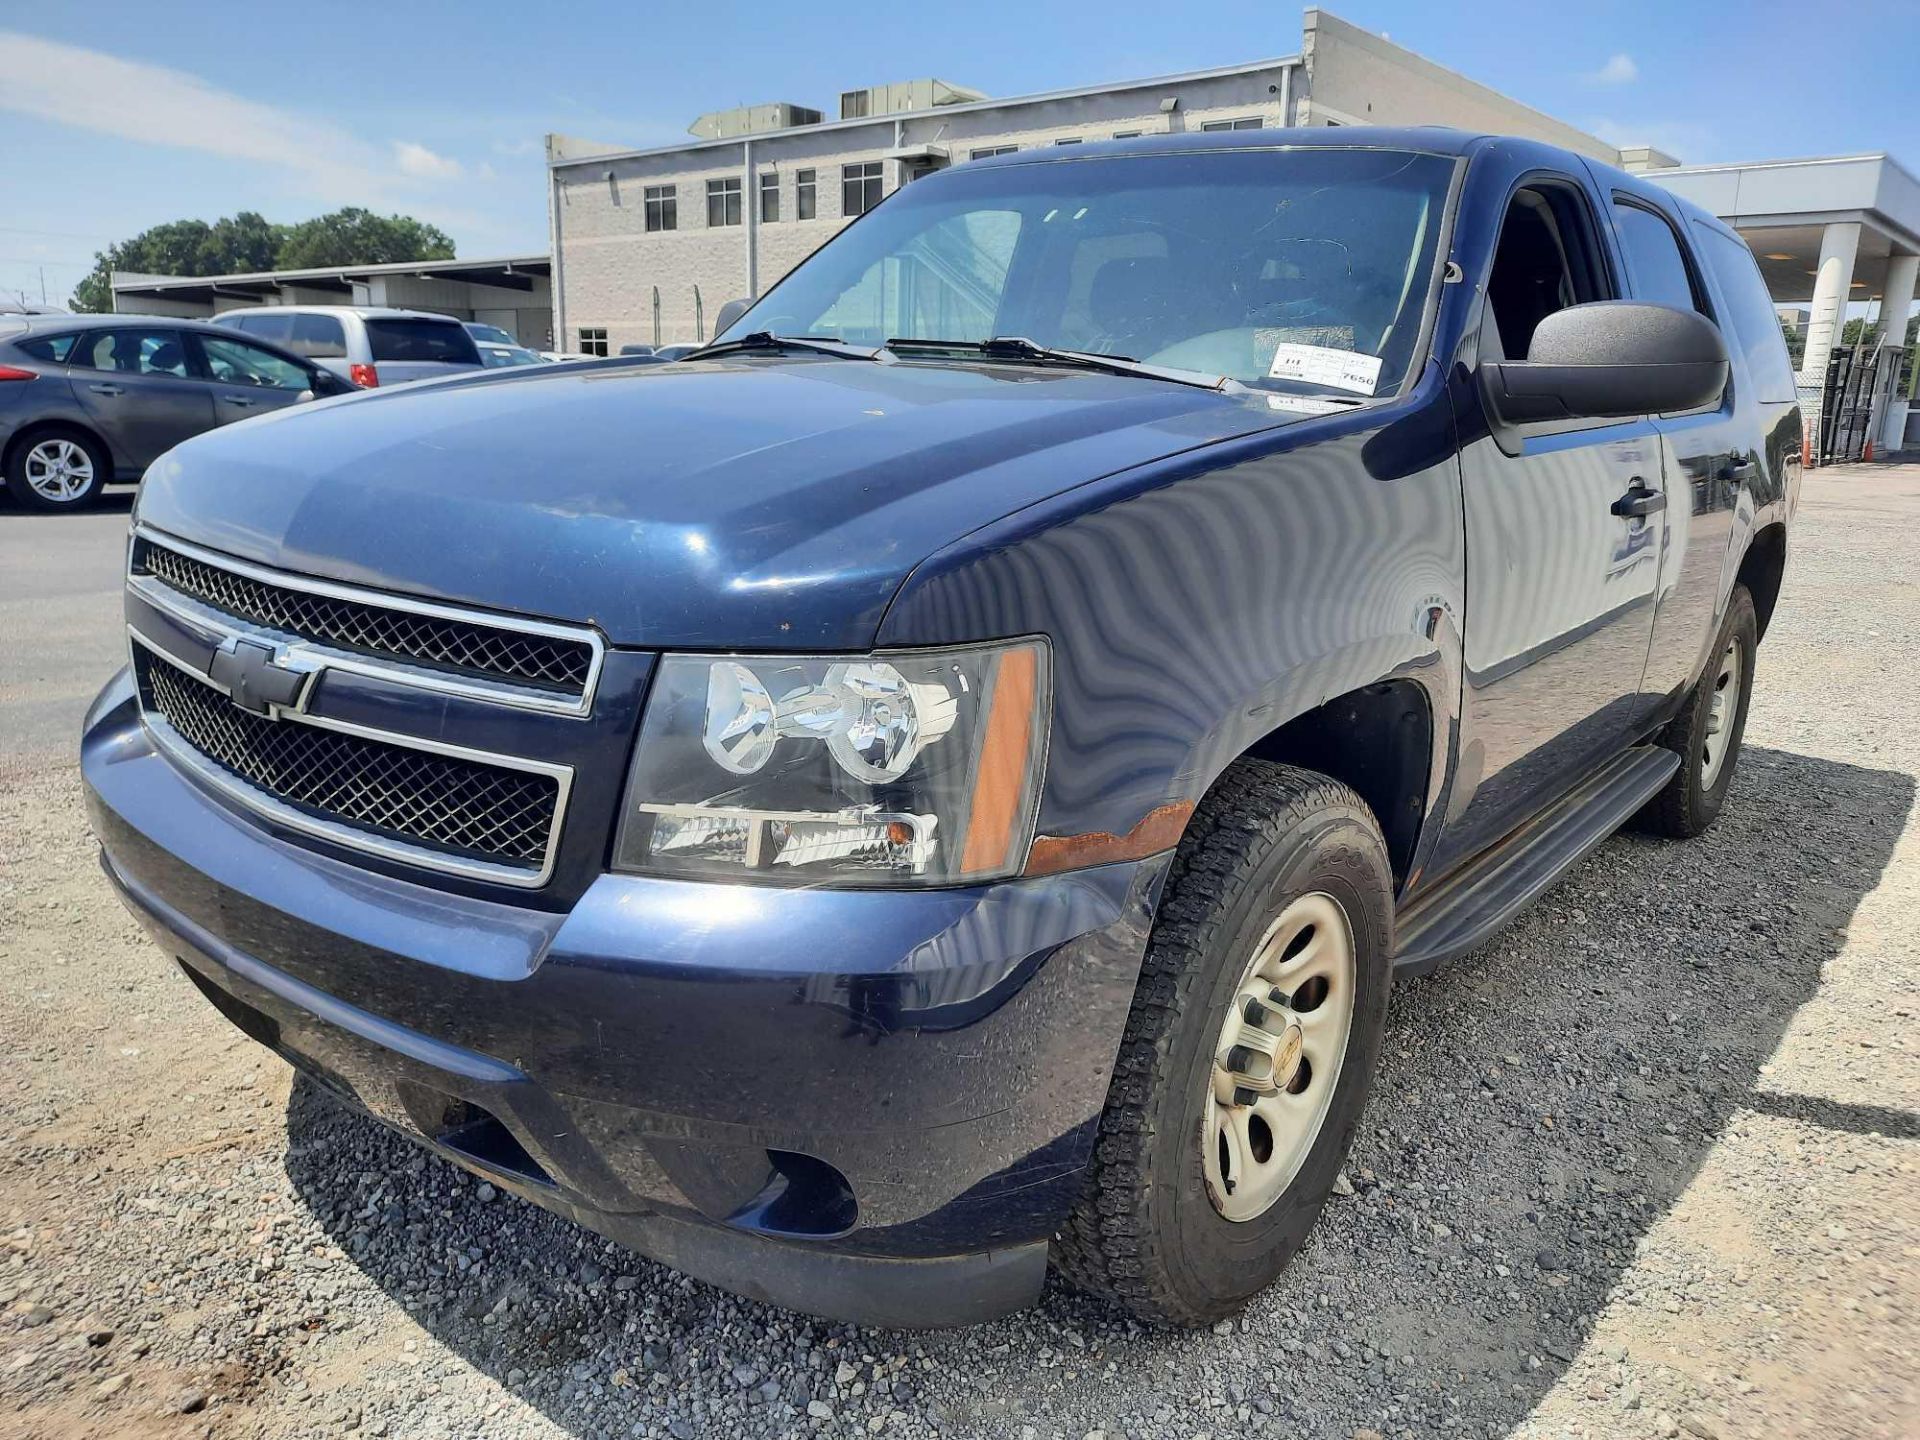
x: 1547, y: 262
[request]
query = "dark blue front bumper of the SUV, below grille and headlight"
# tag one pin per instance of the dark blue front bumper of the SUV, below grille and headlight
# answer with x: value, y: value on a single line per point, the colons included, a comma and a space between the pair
x: 869, y: 1105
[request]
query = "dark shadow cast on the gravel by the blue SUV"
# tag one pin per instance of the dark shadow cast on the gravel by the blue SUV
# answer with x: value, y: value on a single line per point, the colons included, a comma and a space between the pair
x: 1635, y: 1007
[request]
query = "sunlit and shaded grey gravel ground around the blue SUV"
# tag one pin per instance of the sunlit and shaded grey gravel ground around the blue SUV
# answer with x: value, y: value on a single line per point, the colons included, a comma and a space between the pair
x: 1644, y: 1166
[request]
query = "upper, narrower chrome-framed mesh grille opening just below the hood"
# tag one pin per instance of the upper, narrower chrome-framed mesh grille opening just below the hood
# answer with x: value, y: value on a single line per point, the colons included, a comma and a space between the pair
x: 552, y: 663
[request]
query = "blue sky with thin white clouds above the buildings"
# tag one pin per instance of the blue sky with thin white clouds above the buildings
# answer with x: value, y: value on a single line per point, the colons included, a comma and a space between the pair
x: 124, y: 116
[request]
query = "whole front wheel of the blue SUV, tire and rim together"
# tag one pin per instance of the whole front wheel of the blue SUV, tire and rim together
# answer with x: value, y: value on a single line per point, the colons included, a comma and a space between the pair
x: 1249, y: 1051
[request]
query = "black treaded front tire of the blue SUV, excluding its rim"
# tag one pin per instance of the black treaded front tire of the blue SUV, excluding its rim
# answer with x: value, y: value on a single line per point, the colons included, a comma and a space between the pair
x: 1145, y: 1232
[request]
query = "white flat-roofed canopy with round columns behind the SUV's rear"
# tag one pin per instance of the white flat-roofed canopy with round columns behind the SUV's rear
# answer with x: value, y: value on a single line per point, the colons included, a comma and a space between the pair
x: 1829, y: 233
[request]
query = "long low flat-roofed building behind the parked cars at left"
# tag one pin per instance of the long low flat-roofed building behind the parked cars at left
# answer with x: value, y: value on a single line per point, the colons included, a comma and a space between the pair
x: 514, y: 293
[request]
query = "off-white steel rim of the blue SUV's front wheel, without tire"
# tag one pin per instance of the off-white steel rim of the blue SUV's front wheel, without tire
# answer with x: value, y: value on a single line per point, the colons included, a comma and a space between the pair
x: 1278, y: 1057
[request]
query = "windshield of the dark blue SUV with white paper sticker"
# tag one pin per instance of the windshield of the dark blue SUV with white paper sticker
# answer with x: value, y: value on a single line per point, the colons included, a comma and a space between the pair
x: 1280, y: 268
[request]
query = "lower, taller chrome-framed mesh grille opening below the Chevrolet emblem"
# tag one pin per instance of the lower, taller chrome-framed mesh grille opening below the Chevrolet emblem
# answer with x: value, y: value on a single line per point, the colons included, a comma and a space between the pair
x: 477, y: 815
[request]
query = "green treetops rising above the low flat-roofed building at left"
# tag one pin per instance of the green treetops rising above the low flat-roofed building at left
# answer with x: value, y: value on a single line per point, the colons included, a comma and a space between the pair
x: 247, y: 243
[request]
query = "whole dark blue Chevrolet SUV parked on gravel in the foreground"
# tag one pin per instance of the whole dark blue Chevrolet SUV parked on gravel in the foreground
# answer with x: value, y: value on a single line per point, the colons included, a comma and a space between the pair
x: 944, y: 779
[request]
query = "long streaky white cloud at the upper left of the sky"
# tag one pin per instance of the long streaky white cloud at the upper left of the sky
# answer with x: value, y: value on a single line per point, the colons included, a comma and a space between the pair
x: 153, y: 105
